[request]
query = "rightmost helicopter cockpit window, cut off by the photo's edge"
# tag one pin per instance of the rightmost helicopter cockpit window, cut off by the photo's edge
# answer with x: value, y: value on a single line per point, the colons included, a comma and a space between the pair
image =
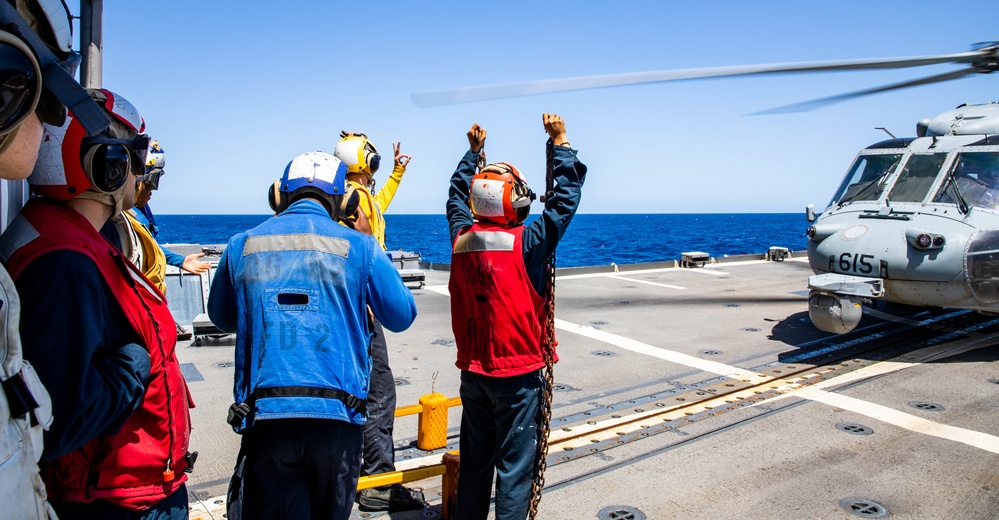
x: 975, y: 181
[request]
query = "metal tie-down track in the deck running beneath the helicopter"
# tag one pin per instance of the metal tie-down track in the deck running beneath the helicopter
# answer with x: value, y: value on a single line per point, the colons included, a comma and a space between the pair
x: 598, y: 429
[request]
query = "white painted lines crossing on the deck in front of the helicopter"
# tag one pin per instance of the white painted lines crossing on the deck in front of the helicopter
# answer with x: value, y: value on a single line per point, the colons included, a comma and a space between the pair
x: 815, y: 392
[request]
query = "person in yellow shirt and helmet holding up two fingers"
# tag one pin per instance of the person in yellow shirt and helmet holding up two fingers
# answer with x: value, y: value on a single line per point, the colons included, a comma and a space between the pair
x: 362, y: 161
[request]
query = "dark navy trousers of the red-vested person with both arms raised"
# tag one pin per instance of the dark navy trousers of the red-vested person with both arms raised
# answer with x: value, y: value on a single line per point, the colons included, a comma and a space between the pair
x: 499, y: 434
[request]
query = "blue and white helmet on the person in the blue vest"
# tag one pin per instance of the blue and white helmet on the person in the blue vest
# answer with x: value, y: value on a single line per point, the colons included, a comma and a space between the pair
x: 318, y: 174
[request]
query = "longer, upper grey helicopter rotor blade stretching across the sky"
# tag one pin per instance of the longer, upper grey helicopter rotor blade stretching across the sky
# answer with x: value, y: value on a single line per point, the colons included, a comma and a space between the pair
x: 526, y: 88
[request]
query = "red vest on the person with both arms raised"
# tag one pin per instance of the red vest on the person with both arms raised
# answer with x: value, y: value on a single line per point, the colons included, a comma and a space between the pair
x: 496, y: 315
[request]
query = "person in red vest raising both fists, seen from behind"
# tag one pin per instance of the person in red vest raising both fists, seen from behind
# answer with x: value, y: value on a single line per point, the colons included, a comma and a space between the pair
x: 497, y: 276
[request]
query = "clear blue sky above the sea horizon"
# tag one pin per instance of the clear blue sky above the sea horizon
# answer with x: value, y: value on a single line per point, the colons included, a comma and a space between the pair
x: 235, y: 90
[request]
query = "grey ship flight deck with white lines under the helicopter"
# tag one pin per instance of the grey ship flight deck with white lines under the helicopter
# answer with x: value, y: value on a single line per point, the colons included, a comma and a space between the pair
x: 704, y: 392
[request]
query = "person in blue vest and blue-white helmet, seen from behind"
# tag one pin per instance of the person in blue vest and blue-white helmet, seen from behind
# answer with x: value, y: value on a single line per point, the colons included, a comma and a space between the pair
x: 296, y: 289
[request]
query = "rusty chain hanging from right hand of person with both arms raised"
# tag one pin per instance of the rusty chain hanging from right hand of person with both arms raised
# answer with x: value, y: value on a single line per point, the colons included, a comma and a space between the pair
x: 548, y: 353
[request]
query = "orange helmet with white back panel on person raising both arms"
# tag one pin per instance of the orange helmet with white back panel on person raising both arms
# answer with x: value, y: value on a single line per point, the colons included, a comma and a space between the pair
x: 499, y: 194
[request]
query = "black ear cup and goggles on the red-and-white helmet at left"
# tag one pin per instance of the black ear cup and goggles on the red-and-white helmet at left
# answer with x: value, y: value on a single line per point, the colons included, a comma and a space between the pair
x: 114, y: 157
